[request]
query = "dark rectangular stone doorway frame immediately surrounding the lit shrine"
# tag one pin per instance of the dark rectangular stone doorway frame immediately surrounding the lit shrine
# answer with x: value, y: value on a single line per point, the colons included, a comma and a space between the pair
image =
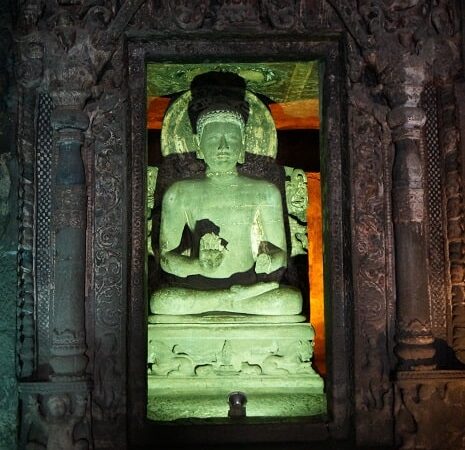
x: 336, y: 193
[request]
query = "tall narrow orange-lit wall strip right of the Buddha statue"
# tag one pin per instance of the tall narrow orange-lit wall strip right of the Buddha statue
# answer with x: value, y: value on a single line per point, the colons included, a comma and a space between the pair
x: 315, y: 267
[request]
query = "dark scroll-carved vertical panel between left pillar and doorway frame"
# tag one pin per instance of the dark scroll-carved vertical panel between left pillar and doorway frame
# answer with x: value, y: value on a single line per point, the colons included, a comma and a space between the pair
x: 107, y: 148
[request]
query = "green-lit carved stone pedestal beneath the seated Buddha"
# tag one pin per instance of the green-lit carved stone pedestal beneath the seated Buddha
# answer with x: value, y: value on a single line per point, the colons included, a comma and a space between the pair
x: 195, y: 365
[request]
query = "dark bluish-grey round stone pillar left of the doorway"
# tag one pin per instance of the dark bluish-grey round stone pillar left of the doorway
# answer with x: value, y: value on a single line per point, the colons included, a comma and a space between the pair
x: 69, y: 209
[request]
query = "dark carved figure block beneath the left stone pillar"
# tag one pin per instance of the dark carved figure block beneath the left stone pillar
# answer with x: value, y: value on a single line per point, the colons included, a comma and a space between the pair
x: 55, y: 415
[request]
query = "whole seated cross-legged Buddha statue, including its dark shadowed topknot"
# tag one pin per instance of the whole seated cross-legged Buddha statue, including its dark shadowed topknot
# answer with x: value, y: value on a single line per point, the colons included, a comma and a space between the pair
x: 222, y: 241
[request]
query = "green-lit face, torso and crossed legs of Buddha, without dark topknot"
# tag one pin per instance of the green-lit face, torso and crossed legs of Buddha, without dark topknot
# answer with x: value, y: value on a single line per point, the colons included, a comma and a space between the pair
x: 248, y: 215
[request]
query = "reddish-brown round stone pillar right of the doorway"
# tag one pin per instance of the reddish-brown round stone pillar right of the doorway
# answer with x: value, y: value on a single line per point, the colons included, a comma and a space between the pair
x: 413, y: 332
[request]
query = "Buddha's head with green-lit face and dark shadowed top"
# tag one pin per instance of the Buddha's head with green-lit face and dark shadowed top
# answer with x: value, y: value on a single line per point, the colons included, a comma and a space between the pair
x: 218, y: 114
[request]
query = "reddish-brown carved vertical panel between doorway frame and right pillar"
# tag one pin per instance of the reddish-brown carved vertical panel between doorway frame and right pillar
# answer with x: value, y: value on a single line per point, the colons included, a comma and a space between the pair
x: 372, y: 255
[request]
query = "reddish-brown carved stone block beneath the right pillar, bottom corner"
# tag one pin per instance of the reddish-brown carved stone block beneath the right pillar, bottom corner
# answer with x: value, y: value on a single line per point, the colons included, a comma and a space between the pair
x: 430, y: 410
